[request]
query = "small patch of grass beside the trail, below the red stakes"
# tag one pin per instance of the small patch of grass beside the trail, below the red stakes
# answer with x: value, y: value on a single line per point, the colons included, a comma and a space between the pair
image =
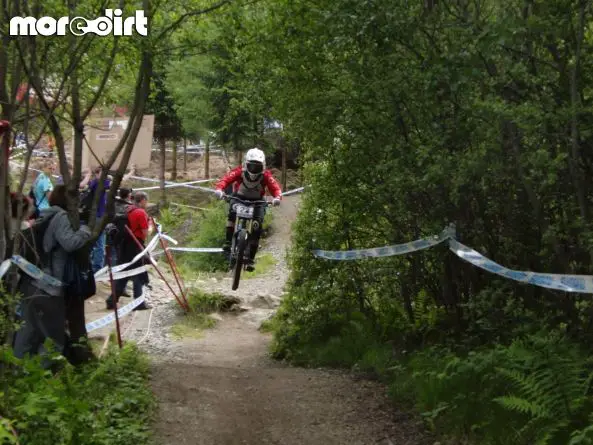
x: 197, y: 320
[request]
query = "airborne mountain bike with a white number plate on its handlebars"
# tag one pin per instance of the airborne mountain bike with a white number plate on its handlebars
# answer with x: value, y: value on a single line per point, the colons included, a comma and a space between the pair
x: 242, y: 239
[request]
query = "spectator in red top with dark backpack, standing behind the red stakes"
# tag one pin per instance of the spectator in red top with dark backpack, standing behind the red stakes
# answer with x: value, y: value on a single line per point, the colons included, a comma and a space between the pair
x: 138, y: 224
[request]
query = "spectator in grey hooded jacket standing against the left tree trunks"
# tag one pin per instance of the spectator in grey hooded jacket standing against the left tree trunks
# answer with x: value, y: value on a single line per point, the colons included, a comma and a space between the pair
x: 44, y: 306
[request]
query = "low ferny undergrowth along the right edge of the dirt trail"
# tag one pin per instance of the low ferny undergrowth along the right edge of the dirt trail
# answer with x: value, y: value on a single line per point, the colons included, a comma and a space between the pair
x: 534, y: 391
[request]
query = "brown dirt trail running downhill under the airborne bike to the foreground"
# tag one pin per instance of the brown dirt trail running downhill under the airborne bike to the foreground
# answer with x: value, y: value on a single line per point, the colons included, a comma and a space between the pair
x: 223, y: 389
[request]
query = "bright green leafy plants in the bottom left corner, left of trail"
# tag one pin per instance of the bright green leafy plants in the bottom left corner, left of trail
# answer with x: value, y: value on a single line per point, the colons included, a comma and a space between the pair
x: 109, y: 402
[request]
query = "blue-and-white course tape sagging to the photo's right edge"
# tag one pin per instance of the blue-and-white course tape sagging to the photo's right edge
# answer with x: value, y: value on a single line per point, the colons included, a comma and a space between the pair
x: 566, y: 283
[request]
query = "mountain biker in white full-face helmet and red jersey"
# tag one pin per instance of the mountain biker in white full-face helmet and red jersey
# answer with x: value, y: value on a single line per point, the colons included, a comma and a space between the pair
x: 250, y: 181
